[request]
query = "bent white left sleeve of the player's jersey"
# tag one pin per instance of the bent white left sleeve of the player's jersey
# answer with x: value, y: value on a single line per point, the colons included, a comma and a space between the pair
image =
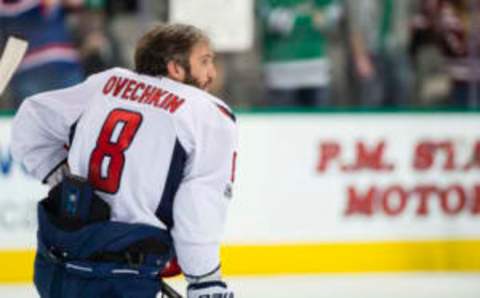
x: 41, y: 127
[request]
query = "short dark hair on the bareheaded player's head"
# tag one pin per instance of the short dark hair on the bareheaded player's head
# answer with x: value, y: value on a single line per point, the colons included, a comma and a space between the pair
x: 165, y: 43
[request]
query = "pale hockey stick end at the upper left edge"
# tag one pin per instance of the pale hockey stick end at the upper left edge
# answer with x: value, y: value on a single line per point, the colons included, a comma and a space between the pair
x: 11, y: 58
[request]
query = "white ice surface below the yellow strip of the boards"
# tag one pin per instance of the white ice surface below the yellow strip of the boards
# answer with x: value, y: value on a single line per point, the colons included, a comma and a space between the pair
x: 417, y: 285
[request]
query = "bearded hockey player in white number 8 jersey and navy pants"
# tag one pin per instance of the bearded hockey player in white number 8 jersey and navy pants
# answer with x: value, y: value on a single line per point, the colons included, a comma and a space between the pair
x: 160, y: 154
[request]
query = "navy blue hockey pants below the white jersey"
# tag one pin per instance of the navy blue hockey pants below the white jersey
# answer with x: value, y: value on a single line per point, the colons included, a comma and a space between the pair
x: 64, y: 268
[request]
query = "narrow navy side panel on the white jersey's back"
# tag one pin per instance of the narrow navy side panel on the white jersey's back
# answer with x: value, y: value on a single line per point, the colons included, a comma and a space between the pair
x: 175, y: 174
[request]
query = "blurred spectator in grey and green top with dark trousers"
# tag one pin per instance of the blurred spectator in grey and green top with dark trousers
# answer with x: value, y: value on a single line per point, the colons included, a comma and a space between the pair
x: 378, y: 37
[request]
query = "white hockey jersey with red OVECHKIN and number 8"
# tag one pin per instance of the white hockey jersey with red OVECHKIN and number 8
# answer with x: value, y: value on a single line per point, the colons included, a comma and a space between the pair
x: 158, y: 151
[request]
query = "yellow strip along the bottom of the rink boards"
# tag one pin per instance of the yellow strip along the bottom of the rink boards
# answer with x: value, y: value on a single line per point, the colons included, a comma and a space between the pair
x: 351, y: 257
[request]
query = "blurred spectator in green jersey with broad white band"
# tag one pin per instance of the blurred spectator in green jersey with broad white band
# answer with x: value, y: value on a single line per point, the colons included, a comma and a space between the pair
x: 294, y: 37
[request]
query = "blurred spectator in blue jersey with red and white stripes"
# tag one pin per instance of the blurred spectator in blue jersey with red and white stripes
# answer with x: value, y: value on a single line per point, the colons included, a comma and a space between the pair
x: 51, y: 62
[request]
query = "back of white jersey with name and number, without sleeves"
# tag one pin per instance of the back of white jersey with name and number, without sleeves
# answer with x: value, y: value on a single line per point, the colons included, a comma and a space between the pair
x: 128, y: 143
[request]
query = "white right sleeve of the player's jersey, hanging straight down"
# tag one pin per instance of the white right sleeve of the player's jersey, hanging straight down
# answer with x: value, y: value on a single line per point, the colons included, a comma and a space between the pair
x: 201, y: 202
